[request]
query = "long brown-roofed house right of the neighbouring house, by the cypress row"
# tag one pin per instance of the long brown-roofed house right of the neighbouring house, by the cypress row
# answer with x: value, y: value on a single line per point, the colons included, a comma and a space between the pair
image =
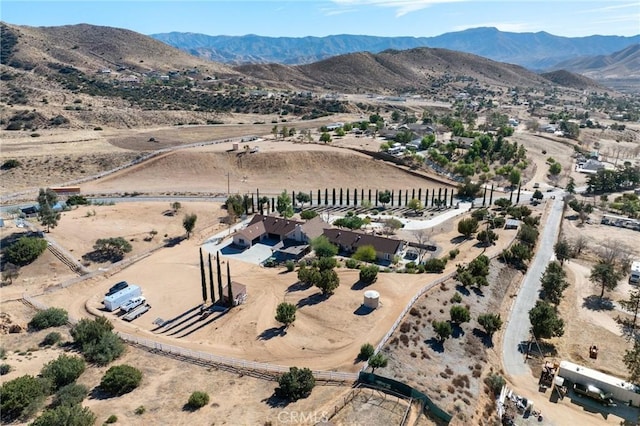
x: 349, y: 241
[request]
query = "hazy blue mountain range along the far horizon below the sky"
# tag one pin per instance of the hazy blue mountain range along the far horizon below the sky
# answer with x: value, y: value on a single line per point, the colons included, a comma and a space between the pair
x: 539, y: 51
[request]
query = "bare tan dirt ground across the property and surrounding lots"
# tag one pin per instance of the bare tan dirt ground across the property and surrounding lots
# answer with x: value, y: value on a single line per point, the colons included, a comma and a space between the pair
x: 170, y: 279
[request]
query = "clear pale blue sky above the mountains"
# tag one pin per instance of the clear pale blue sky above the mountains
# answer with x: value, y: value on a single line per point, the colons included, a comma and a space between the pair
x: 299, y: 18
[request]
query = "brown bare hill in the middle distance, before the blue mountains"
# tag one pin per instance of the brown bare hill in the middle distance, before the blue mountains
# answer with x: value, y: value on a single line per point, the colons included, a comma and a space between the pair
x: 393, y: 71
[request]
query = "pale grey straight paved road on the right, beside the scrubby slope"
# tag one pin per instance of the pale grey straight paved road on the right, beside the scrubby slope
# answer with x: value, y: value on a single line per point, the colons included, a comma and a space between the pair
x: 518, y: 325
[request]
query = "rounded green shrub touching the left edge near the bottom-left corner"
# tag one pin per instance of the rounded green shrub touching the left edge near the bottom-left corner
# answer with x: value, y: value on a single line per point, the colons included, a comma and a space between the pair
x: 22, y: 397
